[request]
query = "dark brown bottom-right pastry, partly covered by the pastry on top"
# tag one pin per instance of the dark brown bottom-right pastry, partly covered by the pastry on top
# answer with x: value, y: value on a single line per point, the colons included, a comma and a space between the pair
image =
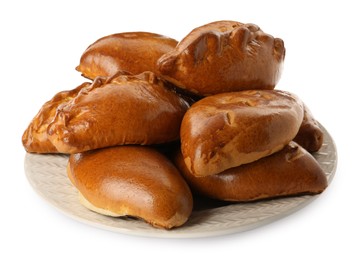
x: 291, y: 171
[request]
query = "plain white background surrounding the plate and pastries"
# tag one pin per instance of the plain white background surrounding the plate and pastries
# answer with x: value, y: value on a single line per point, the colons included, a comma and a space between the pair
x: 41, y: 43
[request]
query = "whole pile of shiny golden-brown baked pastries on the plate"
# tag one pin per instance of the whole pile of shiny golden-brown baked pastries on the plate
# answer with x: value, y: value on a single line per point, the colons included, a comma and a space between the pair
x: 160, y: 122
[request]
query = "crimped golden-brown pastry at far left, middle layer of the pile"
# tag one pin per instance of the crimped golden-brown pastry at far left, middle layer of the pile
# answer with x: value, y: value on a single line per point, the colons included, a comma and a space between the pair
x: 124, y: 109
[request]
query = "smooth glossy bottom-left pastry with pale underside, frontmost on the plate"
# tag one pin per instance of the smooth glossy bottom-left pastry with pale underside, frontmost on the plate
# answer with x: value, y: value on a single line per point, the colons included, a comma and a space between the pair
x: 132, y: 180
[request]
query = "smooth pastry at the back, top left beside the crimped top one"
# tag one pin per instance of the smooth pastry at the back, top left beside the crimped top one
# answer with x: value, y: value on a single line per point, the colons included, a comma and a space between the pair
x: 134, y: 52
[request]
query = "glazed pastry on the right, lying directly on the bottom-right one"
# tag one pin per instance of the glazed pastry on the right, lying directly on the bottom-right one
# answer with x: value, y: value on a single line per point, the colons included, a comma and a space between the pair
x: 226, y: 130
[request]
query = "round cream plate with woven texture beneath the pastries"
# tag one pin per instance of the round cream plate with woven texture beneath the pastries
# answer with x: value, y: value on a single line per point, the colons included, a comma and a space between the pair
x: 47, y: 176
